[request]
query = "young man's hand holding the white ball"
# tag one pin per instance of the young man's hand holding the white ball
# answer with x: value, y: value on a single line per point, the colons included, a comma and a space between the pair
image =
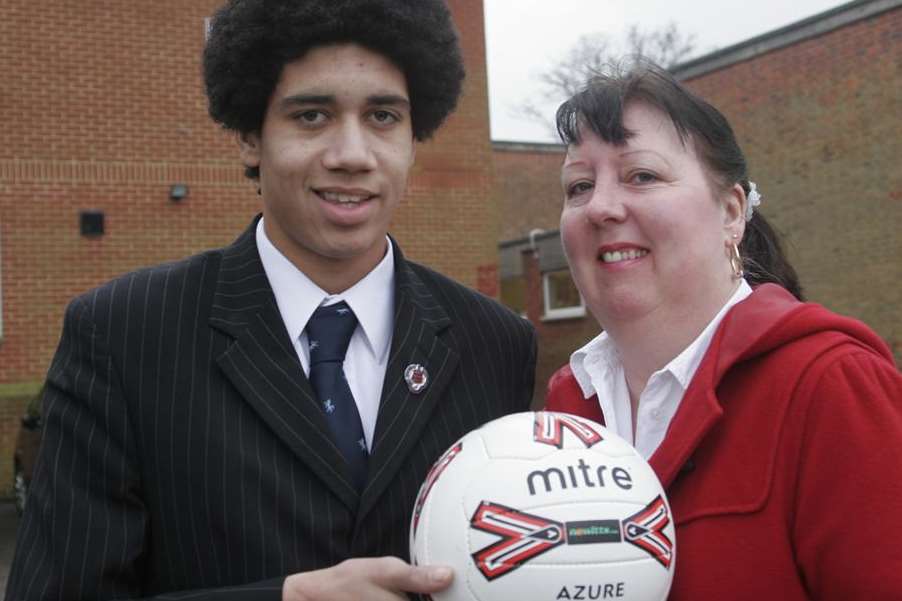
x: 366, y: 579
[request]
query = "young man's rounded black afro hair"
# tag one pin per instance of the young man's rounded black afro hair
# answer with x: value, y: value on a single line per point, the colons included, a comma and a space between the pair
x: 250, y: 42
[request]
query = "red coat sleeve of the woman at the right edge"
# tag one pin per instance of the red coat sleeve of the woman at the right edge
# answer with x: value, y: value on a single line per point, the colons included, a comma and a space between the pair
x: 847, y: 520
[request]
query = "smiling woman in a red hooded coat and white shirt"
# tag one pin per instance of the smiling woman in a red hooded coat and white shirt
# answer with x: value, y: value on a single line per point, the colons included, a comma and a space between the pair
x: 774, y: 425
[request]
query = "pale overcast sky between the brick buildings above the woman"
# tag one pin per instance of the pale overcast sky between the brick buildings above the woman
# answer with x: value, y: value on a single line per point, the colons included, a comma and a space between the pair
x: 524, y: 37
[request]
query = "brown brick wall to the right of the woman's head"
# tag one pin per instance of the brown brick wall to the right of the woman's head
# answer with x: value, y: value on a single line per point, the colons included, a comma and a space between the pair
x: 821, y: 124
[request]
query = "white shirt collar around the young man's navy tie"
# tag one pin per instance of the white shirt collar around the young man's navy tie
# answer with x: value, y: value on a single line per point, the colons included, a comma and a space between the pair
x: 371, y: 299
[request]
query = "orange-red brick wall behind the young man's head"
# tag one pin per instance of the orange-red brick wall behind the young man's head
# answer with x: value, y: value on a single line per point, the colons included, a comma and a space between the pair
x: 103, y: 108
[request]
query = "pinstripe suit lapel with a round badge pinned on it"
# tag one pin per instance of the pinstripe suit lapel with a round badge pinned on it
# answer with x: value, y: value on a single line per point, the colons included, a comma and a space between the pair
x: 403, y: 414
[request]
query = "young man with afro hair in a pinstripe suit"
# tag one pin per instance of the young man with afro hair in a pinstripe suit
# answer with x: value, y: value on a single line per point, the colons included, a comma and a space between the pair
x: 193, y: 447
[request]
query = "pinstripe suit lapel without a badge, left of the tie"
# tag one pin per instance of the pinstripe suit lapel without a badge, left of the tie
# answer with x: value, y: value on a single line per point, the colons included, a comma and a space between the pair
x: 262, y: 365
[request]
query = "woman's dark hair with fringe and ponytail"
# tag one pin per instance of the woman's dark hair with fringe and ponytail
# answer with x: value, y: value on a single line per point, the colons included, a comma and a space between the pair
x: 600, y: 105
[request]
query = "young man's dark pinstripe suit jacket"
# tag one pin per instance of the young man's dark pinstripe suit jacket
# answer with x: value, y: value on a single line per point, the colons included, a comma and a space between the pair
x: 184, y: 454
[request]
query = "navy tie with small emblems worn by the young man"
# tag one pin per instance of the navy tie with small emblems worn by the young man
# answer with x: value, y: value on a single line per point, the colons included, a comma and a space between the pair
x: 329, y: 333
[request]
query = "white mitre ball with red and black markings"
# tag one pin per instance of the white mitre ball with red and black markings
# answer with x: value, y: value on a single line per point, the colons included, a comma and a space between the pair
x: 542, y: 507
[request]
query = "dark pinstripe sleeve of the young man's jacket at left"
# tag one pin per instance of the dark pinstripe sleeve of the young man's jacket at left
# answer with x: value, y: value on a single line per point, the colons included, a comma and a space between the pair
x: 84, y: 532
